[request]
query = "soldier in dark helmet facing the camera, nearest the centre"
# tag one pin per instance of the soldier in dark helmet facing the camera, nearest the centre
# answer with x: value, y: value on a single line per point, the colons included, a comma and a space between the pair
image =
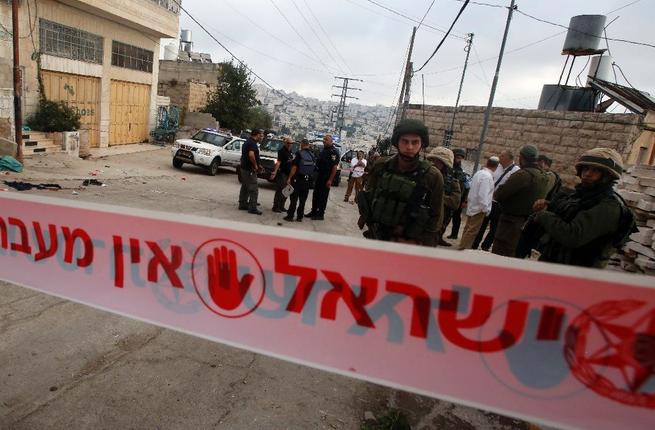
x: 403, y: 198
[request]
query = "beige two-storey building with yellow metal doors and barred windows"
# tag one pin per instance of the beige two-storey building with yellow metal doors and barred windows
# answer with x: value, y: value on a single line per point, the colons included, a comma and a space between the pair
x: 98, y: 56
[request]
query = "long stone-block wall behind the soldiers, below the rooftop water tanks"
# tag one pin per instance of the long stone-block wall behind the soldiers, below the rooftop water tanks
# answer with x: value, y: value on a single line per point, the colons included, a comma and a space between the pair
x: 562, y: 136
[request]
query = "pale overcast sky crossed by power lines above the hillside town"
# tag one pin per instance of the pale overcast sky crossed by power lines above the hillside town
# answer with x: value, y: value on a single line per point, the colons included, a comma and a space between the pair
x: 300, y: 45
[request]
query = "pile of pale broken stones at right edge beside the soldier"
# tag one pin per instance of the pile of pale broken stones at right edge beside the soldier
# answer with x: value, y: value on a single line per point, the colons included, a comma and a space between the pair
x: 637, y: 187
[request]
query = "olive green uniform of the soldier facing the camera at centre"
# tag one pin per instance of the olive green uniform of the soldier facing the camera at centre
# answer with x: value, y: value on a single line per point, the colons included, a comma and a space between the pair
x: 403, y: 206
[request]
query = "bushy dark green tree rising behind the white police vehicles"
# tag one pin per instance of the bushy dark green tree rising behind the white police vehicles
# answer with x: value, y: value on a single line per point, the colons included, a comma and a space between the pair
x: 232, y: 102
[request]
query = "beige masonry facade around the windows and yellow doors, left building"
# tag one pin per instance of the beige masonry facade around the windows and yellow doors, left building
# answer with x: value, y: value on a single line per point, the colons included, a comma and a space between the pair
x: 106, y: 26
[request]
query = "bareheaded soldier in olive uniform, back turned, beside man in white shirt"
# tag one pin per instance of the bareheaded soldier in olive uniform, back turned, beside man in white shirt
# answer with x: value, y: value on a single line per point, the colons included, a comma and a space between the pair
x: 516, y: 197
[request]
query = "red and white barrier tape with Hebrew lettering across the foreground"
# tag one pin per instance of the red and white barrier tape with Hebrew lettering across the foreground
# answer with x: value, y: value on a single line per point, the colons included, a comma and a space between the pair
x: 562, y: 346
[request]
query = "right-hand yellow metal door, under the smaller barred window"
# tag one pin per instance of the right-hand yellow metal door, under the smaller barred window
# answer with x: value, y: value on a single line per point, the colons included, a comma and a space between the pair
x: 129, y: 106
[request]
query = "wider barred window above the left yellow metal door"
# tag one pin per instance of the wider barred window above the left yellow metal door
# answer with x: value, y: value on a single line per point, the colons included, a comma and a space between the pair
x: 68, y: 42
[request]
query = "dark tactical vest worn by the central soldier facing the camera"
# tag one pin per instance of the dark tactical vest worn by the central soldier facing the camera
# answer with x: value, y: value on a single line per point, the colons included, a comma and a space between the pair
x: 401, y: 200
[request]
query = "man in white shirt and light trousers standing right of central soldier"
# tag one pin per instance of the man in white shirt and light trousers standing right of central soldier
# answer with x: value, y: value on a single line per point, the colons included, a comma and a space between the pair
x: 478, y: 202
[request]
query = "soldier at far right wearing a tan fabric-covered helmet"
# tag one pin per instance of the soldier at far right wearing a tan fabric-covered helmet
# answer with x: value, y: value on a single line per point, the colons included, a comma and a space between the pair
x: 583, y: 228
